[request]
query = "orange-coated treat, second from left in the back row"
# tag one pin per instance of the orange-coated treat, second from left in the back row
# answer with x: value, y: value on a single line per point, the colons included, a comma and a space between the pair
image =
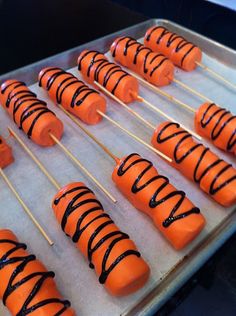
x: 73, y: 94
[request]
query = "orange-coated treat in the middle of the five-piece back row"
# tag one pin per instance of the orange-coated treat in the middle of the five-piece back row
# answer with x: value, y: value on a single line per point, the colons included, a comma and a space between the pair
x: 94, y: 66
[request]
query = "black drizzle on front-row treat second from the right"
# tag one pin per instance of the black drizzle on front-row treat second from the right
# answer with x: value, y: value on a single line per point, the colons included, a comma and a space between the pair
x: 201, y: 155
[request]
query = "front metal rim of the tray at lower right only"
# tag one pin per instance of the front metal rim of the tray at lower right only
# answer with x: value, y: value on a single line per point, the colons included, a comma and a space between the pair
x: 168, y: 286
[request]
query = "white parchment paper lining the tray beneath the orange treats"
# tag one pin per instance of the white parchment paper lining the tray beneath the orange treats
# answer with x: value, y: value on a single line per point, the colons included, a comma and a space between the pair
x: 74, y: 278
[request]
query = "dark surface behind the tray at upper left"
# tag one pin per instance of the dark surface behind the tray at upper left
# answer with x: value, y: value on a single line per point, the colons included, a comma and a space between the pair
x: 33, y: 30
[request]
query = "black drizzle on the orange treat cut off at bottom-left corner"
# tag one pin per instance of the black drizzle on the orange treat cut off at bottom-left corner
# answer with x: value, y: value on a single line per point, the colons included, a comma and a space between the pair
x: 22, y: 261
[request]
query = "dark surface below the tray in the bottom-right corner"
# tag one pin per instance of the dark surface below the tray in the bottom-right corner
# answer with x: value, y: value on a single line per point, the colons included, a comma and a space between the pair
x: 211, y: 291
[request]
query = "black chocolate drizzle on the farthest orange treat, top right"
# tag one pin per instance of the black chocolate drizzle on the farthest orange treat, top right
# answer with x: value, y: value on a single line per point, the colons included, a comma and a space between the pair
x: 171, y: 41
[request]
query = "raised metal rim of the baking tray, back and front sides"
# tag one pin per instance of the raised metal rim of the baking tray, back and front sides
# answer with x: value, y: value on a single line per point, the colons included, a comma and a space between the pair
x: 177, y: 276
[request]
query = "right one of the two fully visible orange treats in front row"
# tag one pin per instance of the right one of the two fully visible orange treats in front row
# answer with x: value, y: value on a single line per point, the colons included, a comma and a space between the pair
x: 172, y: 212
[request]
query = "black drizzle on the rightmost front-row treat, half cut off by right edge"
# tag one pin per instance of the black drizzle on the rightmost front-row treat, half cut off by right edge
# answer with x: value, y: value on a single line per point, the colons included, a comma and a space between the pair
x: 220, y: 124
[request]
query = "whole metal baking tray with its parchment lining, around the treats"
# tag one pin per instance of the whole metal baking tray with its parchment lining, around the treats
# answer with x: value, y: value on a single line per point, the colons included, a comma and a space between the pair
x: 169, y: 268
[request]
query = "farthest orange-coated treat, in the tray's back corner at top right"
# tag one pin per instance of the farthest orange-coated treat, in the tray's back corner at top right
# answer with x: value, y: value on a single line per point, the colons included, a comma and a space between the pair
x: 181, y: 52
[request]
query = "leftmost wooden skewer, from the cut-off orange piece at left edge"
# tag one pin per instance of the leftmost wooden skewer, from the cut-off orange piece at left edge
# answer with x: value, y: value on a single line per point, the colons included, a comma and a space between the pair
x: 25, y: 207
